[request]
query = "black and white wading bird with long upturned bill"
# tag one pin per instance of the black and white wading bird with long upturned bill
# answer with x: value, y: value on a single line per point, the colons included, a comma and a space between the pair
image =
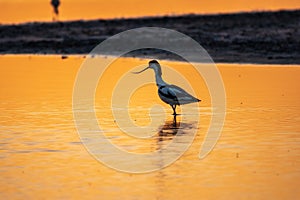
x: 170, y: 94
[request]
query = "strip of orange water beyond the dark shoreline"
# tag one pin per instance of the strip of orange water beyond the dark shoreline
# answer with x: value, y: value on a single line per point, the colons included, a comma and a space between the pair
x: 18, y: 11
